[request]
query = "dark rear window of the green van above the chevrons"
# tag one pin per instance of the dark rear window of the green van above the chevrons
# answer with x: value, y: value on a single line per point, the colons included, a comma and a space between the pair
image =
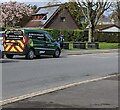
x: 14, y: 35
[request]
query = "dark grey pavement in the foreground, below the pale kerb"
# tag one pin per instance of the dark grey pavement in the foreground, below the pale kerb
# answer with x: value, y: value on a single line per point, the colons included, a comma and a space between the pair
x: 97, y: 94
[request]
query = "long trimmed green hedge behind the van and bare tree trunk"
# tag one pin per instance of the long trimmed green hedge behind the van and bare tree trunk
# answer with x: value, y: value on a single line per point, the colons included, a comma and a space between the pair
x: 82, y: 36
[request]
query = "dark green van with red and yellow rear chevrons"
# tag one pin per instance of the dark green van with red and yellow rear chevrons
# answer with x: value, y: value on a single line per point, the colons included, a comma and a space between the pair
x: 30, y: 43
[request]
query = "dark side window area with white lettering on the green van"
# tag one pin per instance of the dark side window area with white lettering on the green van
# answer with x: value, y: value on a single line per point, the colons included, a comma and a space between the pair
x: 37, y: 36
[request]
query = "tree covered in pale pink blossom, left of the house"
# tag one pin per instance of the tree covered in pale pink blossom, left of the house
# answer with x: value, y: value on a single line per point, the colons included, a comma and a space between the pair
x: 13, y: 12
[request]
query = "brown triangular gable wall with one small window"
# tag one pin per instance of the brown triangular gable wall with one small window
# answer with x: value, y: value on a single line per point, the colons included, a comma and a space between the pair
x: 63, y: 20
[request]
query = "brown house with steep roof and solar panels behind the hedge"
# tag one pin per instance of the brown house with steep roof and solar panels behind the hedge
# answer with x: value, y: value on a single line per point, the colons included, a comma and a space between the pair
x: 54, y: 16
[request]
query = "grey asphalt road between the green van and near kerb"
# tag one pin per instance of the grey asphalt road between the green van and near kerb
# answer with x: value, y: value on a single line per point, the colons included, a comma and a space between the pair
x: 20, y: 76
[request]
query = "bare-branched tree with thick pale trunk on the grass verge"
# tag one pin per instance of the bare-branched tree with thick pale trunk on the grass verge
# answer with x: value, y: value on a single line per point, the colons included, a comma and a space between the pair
x: 93, y: 11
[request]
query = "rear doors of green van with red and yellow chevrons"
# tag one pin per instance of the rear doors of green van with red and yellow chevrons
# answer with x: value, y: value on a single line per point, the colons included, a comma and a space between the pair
x: 14, y: 41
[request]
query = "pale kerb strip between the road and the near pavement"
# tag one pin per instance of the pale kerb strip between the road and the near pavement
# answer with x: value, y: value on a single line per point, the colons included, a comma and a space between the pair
x: 18, y: 98
